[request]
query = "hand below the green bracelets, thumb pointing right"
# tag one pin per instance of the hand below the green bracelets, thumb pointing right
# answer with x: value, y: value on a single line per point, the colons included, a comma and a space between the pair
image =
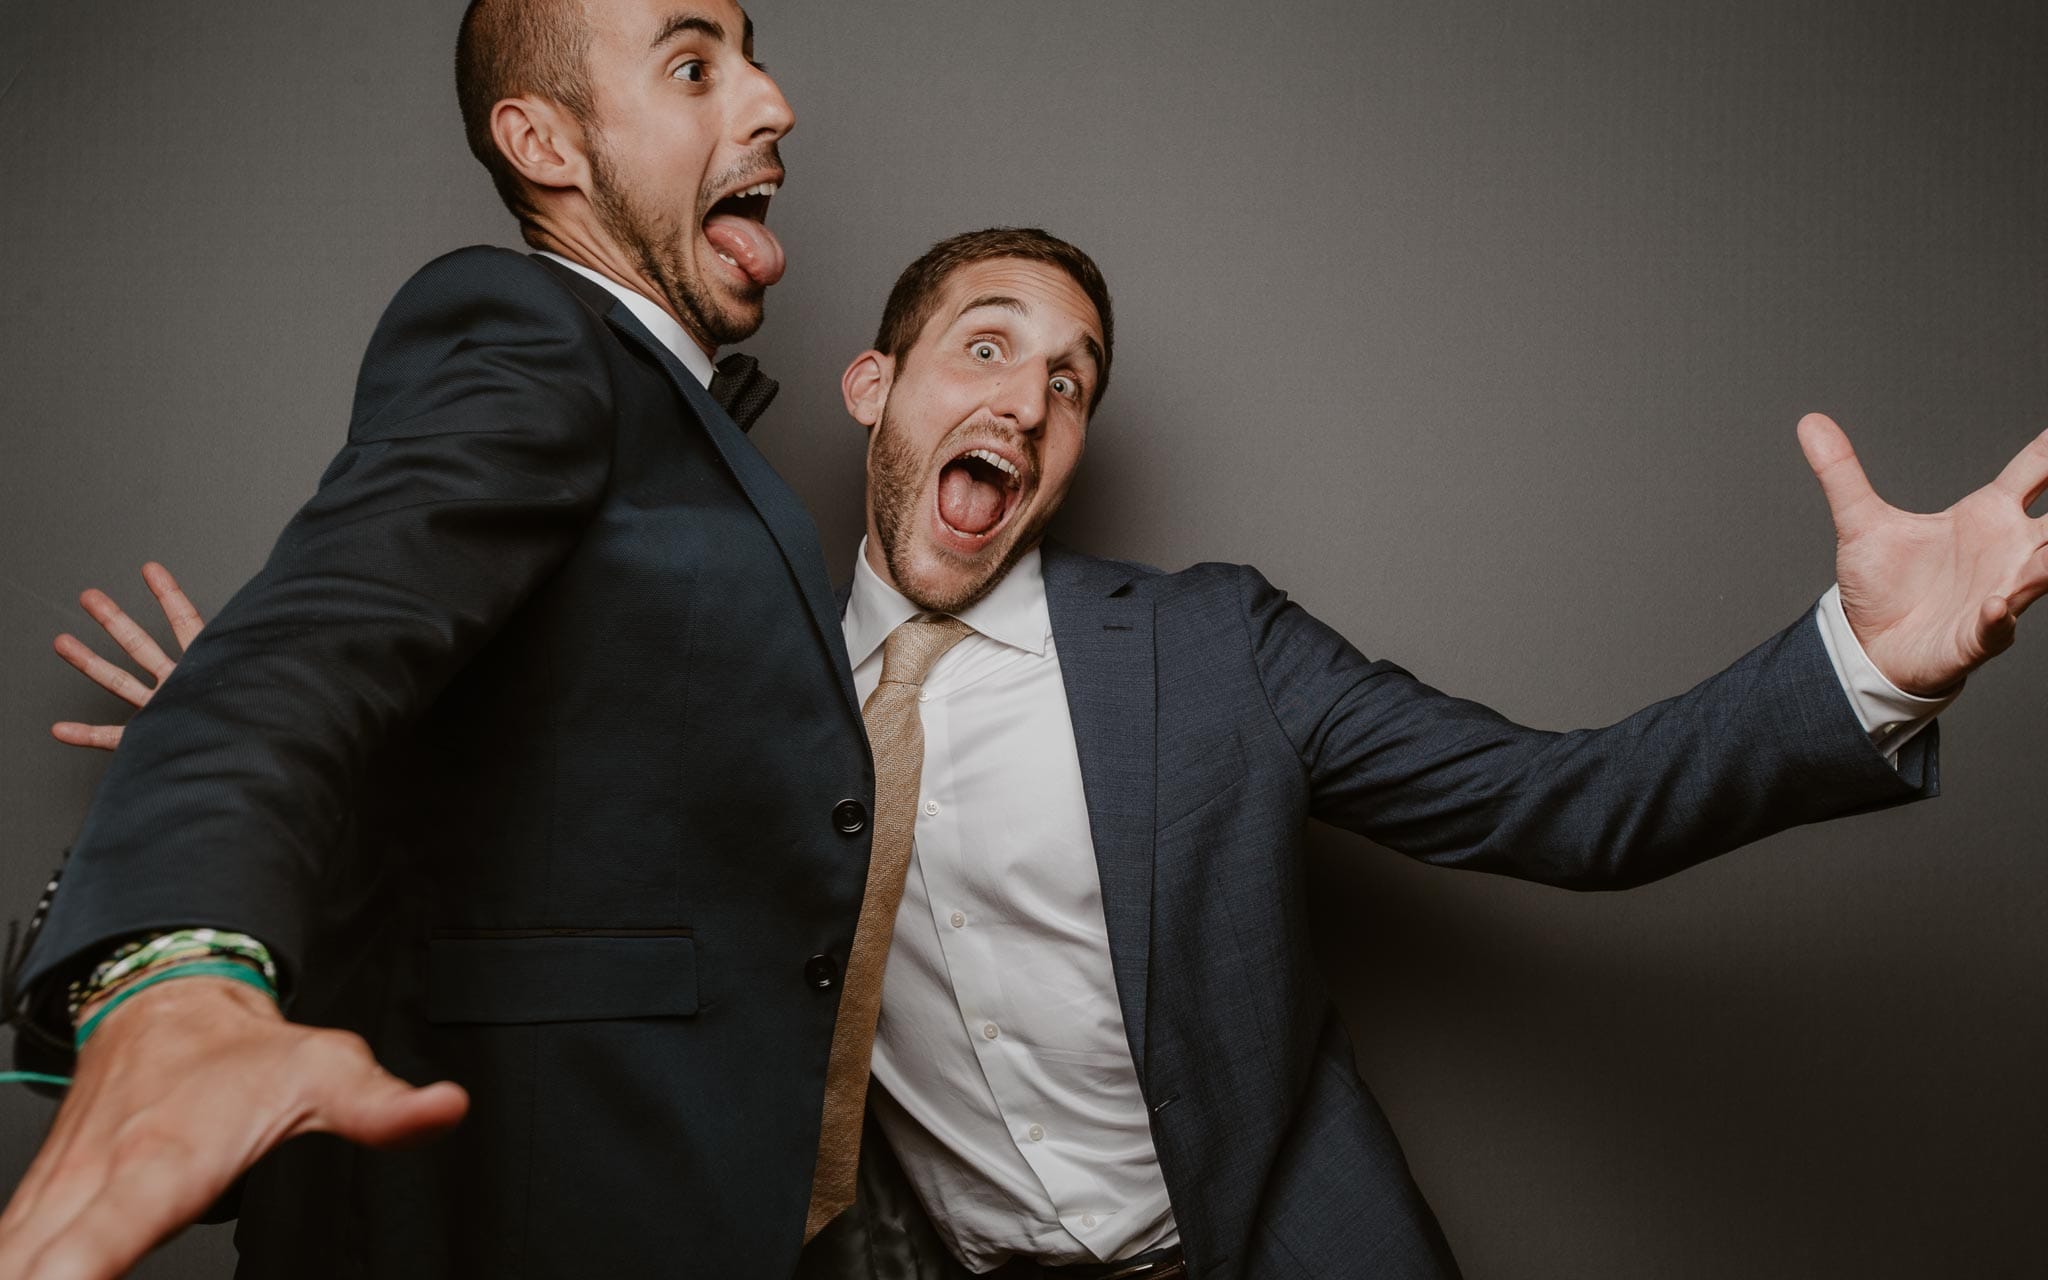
x: 177, y: 1095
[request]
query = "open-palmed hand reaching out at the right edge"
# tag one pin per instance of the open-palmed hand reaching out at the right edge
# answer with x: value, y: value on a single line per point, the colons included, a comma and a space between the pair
x: 1932, y: 597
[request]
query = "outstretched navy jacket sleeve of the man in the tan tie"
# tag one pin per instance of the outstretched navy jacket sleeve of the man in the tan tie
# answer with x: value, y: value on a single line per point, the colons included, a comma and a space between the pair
x: 1764, y: 746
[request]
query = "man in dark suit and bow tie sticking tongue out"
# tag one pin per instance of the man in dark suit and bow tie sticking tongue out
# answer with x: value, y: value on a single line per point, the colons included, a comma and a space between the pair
x: 529, y: 759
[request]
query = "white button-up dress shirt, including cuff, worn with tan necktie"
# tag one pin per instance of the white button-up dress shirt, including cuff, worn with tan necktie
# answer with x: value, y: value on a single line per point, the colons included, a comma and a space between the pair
x: 1007, y: 1084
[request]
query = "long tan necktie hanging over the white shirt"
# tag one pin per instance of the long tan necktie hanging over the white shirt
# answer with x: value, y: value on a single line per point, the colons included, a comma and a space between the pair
x: 896, y: 736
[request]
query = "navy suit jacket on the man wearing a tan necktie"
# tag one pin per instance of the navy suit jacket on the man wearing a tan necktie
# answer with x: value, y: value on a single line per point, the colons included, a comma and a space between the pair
x: 1213, y: 720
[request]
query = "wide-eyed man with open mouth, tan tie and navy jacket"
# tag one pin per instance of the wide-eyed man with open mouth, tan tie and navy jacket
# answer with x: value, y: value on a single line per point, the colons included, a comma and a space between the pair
x: 1086, y: 1031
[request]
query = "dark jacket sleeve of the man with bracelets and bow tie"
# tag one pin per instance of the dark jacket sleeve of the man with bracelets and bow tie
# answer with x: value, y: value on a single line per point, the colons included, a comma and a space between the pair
x: 476, y: 456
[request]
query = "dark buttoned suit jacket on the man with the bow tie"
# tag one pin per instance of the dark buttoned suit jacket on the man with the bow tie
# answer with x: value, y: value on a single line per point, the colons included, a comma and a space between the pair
x: 534, y: 755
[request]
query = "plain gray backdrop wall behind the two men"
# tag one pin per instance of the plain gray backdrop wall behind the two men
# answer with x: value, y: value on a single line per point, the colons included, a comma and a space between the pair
x: 1484, y: 329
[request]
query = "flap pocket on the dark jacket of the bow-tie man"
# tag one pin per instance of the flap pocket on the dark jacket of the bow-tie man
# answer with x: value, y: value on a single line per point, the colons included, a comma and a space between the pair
x: 560, y: 978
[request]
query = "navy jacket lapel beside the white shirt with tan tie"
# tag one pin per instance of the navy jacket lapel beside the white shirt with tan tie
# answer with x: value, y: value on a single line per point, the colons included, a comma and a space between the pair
x: 1105, y: 646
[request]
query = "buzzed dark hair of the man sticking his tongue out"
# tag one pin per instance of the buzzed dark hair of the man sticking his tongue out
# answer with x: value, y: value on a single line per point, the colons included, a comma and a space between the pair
x: 519, y: 50
